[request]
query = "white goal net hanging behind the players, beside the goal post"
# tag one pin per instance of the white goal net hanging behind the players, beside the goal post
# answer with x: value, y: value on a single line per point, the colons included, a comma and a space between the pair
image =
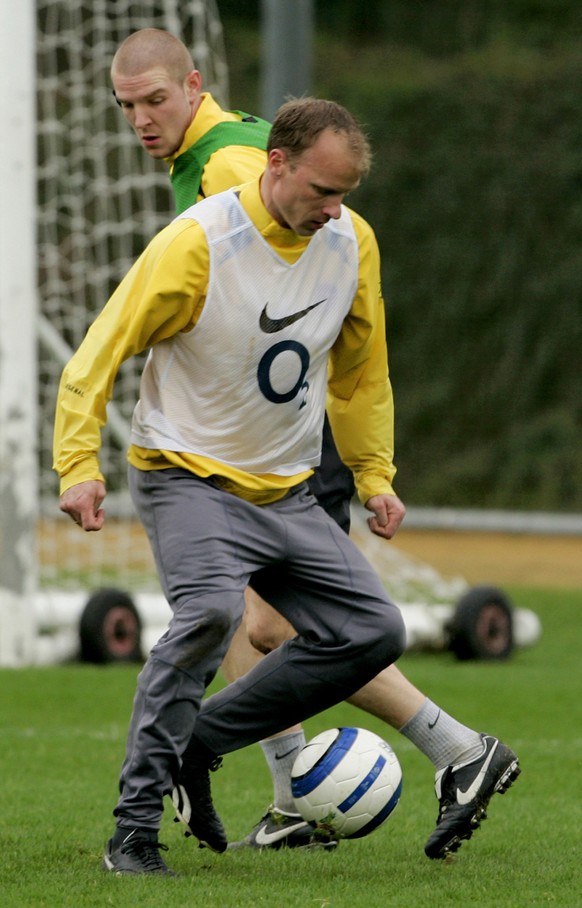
x: 100, y: 200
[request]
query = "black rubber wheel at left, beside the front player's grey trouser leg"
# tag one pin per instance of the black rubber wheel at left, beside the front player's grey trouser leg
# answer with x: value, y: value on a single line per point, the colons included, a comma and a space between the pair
x: 110, y: 628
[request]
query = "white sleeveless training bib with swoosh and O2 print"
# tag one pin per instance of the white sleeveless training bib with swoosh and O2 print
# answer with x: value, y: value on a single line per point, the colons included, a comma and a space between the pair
x: 247, y: 385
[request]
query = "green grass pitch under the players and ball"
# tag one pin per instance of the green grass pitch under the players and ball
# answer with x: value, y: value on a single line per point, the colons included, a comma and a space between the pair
x: 62, y: 733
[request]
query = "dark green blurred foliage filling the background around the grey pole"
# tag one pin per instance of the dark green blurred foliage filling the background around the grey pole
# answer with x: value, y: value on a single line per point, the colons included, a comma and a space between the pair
x: 474, y: 110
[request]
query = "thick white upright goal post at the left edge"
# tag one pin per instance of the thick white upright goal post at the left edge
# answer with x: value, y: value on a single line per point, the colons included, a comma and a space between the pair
x: 18, y: 471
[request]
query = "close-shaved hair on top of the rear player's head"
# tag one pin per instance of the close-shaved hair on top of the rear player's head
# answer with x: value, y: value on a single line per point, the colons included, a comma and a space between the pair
x: 149, y: 48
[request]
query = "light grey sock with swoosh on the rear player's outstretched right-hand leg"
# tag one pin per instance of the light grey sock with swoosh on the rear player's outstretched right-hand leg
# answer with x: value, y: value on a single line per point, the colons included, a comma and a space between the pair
x: 441, y: 738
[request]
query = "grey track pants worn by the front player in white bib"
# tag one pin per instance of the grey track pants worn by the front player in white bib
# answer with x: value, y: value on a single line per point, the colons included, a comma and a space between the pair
x: 208, y: 545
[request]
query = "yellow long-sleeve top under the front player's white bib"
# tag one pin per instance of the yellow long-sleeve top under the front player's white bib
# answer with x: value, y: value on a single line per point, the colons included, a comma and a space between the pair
x: 164, y: 293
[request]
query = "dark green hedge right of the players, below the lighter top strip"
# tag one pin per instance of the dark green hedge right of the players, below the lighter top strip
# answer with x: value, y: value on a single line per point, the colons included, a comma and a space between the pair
x: 476, y: 199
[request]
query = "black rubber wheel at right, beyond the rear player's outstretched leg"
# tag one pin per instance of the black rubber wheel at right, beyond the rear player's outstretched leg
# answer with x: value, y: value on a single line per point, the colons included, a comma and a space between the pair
x: 482, y: 625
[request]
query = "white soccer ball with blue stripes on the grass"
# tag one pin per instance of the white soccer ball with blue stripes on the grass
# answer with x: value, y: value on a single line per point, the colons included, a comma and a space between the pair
x: 346, y: 782
